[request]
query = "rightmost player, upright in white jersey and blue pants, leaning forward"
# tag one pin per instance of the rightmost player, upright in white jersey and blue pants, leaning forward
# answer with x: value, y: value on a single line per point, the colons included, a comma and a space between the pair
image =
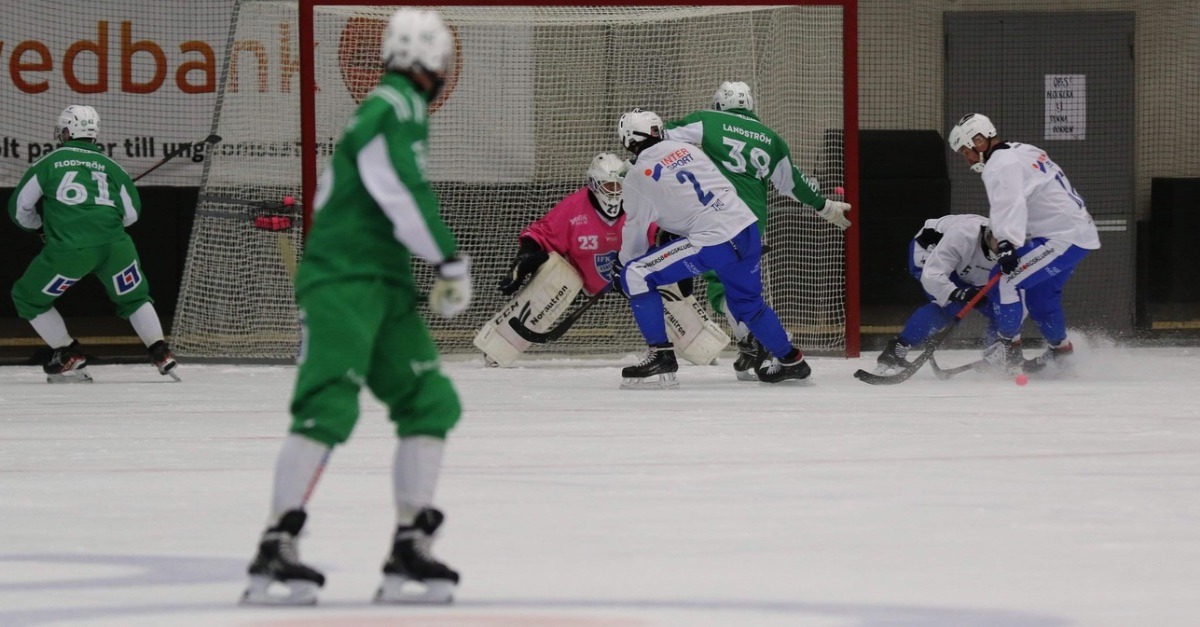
x: 1042, y: 230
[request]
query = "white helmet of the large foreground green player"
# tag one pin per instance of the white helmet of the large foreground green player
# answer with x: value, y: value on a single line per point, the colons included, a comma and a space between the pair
x: 417, y: 40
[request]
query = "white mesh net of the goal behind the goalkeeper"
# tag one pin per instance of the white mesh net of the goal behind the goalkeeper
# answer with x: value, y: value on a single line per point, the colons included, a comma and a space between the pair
x: 533, y: 95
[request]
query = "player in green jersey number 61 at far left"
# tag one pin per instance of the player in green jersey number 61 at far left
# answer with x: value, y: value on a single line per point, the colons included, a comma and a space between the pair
x: 87, y: 201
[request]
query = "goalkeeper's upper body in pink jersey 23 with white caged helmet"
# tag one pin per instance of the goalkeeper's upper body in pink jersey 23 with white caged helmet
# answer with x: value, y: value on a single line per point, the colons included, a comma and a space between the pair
x: 584, y: 228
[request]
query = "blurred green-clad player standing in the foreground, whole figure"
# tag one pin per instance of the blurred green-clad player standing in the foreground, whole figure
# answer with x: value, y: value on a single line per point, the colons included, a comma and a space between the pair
x: 358, y: 302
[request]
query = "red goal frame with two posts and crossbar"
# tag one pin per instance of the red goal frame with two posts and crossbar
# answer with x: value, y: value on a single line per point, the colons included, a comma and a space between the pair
x: 850, y: 120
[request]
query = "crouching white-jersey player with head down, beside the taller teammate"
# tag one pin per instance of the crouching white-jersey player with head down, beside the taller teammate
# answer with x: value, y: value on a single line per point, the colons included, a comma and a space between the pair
x: 952, y: 260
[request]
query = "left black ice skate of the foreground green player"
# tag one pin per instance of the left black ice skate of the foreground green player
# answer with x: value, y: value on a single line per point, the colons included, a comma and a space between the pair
x: 277, y: 576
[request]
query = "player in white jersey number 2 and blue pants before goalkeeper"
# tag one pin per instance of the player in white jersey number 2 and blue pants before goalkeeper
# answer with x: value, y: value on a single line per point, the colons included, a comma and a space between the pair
x: 676, y: 186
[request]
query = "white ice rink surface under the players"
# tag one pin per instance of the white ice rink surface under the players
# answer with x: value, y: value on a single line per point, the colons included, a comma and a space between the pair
x: 571, y: 503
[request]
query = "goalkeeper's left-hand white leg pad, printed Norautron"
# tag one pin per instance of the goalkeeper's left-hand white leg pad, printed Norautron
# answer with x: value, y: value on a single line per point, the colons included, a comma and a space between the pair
x: 538, y: 306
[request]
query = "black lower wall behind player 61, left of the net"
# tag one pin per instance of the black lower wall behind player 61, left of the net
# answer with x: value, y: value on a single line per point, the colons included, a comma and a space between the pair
x: 160, y: 235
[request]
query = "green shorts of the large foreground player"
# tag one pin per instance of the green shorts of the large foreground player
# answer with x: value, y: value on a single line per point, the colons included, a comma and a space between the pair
x: 368, y: 333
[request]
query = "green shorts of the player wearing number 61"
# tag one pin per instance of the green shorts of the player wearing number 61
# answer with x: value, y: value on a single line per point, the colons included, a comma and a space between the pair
x: 55, y: 271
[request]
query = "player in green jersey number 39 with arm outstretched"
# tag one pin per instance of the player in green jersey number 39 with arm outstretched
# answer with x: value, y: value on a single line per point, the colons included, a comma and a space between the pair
x: 751, y: 156
